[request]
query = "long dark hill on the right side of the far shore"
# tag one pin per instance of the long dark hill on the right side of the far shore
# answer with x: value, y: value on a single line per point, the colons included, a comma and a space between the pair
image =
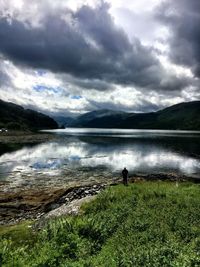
x: 183, y: 116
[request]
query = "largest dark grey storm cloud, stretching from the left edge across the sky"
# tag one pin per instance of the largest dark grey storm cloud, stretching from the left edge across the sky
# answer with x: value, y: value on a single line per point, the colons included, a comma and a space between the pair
x: 88, y: 46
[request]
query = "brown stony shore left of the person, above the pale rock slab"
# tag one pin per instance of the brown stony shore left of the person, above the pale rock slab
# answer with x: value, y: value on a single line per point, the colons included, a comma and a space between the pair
x: 32, y: 204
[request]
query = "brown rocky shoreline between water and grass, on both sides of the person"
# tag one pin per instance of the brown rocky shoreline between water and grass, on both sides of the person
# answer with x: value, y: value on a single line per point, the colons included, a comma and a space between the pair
x: 34, y: 204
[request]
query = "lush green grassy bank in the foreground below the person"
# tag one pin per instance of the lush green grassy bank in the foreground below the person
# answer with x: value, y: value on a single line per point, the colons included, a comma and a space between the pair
x: 144, y: 224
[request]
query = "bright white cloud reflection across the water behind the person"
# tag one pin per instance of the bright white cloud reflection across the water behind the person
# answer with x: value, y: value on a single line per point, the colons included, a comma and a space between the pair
x: 54, y: 157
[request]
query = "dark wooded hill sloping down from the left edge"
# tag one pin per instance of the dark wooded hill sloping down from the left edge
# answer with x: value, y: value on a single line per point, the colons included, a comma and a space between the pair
x: 15, y: 117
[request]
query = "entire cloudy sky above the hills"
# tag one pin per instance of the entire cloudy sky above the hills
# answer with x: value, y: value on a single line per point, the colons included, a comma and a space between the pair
x: 66, y: 57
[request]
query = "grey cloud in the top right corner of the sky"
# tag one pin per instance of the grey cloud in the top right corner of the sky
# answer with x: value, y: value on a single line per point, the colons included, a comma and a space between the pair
x: 183, y: 18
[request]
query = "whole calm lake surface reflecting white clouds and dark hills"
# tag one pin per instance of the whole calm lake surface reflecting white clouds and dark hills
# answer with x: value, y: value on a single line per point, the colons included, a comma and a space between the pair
x: 77, y: 151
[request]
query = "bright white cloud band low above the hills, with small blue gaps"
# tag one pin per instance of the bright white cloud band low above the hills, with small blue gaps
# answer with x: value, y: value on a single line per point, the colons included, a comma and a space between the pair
x: 60, y: 96
